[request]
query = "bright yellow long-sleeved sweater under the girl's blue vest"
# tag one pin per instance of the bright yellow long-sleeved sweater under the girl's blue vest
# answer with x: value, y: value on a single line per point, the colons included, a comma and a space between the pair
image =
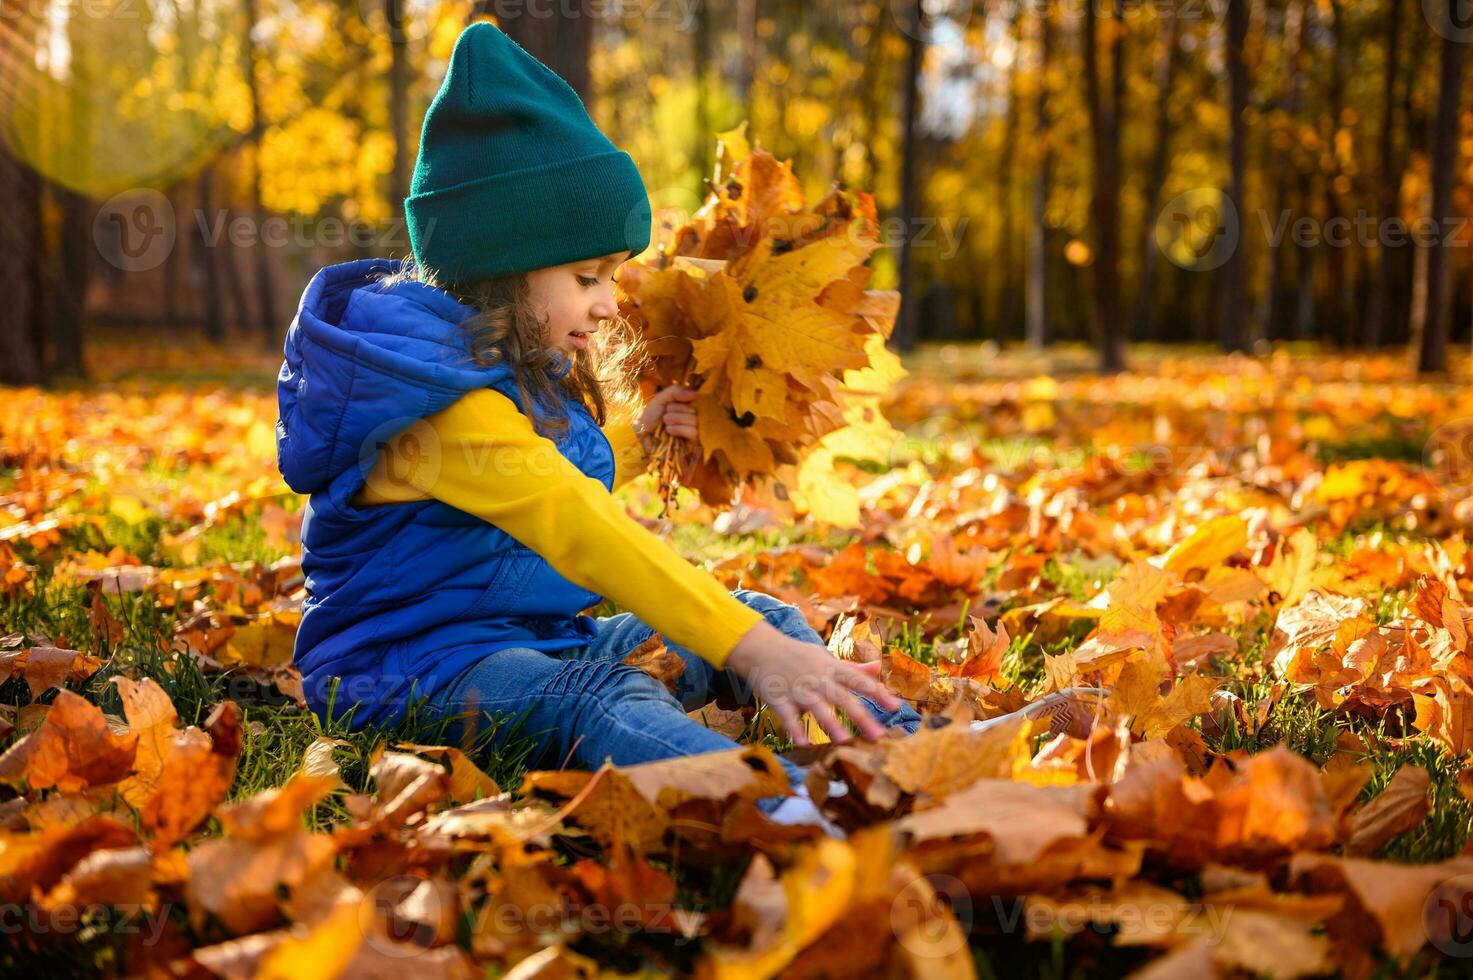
x: 484, y: 458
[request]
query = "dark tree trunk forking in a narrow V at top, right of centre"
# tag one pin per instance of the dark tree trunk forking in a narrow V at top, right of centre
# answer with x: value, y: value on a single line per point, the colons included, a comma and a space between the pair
x: 1105, y: 129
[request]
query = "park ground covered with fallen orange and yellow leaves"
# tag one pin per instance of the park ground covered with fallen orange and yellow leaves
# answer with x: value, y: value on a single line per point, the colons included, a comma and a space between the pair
x: 1265, y: 562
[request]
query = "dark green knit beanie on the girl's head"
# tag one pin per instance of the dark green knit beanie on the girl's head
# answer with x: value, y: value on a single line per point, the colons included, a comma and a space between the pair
x: 513, y: 175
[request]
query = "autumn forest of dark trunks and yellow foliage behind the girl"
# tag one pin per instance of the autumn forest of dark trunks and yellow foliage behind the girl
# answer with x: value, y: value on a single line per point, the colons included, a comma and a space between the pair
x: 1095, y: 173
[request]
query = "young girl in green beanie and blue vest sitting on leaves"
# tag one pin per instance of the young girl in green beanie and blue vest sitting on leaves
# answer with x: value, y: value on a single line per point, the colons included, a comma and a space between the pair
x: 451, y: 422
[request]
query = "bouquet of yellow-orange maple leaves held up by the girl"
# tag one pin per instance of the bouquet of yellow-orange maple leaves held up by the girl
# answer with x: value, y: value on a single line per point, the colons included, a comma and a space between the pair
x: 761, y: 306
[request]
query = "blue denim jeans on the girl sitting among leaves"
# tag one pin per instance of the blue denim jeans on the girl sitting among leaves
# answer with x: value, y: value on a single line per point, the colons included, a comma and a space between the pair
x: 586, y: 705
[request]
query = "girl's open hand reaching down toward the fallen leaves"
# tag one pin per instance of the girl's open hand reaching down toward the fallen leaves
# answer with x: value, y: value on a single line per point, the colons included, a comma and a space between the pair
x: 796, y: 677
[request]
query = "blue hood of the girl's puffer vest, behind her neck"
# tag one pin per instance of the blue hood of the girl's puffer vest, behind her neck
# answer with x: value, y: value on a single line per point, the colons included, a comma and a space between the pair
x: 365, y: 362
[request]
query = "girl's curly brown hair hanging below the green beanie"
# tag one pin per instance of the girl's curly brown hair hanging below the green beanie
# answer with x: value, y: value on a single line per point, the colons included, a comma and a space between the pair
x: 507, y: 328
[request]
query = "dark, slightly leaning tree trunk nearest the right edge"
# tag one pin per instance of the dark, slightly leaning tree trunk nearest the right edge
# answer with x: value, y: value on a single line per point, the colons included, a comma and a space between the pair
x: 1431, y: 323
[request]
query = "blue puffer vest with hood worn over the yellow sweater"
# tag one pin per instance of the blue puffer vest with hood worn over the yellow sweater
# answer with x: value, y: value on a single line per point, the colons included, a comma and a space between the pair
x: 404, y: 598
